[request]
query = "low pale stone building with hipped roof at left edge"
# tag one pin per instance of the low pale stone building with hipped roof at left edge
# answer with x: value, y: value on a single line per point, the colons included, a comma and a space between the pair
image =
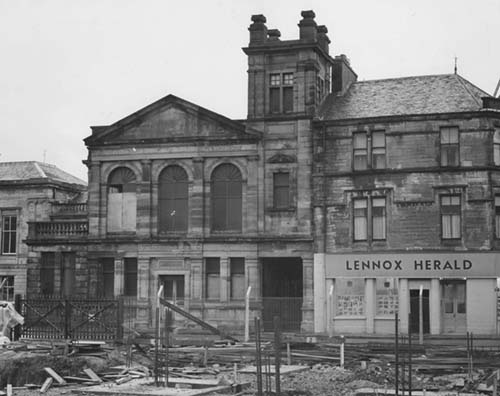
x: 29, y: 192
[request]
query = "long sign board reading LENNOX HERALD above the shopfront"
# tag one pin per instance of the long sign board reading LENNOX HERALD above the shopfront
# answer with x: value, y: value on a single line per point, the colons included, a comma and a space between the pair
x: 413, y: 265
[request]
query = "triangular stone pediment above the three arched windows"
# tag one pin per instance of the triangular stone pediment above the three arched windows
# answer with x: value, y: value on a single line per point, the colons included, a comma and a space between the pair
x: 171, y: 119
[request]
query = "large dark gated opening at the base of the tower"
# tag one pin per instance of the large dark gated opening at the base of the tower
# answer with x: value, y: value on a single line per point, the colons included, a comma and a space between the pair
x: 282, y: 292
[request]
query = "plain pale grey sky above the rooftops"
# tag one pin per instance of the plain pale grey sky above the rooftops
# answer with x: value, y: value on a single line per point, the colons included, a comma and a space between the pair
x: 66, y: 65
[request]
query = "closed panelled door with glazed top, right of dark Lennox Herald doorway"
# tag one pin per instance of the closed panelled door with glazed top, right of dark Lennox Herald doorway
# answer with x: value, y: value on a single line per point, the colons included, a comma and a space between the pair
x: 453, y: 306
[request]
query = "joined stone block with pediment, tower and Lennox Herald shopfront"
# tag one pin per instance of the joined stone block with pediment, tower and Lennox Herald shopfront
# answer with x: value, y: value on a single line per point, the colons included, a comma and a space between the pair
x: 312, y: 201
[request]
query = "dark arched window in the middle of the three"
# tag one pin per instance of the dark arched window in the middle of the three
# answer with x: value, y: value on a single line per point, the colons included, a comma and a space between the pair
x: 173, y: 199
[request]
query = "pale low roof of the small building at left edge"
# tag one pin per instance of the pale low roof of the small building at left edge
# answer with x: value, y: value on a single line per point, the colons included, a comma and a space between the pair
x: 33, y: 170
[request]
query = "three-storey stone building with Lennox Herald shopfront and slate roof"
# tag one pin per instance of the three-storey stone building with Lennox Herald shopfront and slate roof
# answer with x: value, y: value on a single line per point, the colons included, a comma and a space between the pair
x: 407, y: 202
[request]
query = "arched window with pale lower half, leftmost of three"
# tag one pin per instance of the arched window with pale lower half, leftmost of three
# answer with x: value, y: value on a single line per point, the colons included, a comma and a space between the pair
x: 122, y: 200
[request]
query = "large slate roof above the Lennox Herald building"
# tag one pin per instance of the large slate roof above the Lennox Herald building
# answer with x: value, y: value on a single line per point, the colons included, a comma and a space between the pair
x: 445, y: 93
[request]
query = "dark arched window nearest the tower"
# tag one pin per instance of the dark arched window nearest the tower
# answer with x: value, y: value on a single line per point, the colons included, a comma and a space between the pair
x: 226, y: 198
